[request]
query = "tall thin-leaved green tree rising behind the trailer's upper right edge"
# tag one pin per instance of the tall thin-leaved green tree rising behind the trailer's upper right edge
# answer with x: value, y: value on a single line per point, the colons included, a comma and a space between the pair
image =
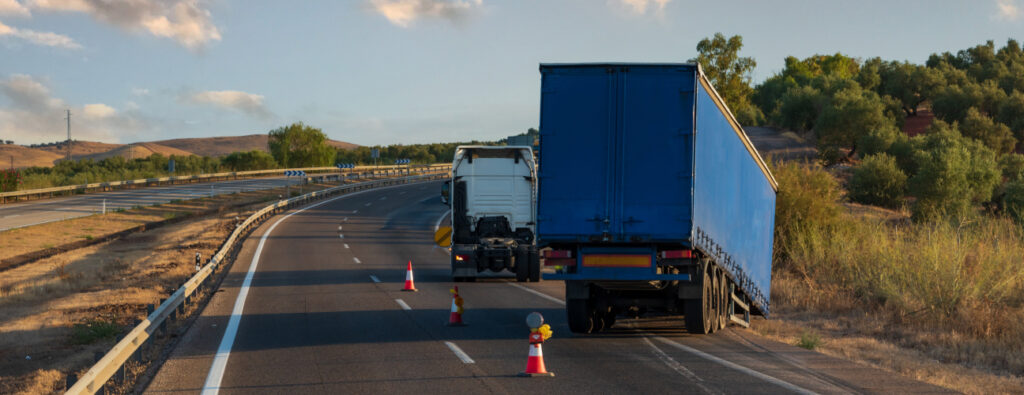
x: 730, y: 74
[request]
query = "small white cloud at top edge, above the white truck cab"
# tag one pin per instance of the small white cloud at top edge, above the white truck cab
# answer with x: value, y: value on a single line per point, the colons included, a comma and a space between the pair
x: 404, y: 13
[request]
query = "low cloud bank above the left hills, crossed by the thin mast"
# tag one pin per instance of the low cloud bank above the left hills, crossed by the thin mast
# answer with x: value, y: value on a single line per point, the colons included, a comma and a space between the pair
x: 35, y: 116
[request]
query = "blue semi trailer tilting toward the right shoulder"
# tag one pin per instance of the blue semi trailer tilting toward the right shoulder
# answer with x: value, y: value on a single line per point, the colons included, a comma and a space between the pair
x: 652, y: 198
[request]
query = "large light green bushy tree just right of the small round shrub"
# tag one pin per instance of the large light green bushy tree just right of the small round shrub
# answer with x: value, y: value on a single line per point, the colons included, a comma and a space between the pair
x: 953, y: 173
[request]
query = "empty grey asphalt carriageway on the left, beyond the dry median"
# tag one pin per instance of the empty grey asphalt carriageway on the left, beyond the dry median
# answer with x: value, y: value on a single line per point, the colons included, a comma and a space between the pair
x: 36, y: 212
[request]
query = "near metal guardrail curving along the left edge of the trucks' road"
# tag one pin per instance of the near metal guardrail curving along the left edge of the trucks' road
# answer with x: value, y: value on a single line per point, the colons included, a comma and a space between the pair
x: 96, y: 379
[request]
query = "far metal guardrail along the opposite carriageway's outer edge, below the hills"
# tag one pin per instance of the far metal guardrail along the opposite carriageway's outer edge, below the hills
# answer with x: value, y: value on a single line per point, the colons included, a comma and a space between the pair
x: 363, y: 170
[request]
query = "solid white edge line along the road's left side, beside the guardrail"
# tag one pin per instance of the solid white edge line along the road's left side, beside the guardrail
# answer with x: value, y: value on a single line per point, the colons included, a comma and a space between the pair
x: 217, y: 375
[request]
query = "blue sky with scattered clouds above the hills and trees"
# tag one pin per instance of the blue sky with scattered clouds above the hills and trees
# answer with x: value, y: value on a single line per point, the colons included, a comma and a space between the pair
x: 383, y: 72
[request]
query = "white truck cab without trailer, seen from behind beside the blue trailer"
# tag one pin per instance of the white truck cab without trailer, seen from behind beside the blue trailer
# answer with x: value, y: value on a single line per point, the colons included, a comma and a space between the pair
x: 494, y: 220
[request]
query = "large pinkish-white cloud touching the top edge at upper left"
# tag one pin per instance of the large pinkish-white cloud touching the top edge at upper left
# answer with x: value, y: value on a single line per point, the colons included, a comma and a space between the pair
x: 184, y: 21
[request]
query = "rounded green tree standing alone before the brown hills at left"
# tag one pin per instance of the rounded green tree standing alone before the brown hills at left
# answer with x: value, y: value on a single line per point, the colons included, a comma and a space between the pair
x: 300, y: 146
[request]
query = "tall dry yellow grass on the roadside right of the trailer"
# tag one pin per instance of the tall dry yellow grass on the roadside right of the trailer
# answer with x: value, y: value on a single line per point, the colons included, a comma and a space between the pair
x: 941, y: 302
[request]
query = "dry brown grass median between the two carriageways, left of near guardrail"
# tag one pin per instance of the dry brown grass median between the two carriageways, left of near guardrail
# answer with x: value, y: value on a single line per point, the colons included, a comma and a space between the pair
x: 113, y: 282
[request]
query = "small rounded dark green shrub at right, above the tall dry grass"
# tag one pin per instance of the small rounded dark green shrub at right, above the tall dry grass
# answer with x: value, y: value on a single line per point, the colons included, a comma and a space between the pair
x: 878, y: 182
